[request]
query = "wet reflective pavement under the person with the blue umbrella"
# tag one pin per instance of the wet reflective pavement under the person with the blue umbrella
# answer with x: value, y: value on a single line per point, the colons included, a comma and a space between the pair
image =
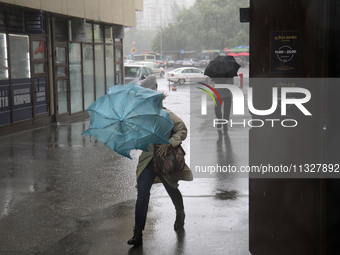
x: 62, y: 194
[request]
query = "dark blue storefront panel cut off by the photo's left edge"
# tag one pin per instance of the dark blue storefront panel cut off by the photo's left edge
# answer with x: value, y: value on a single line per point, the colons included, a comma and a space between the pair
x: 5, y: 103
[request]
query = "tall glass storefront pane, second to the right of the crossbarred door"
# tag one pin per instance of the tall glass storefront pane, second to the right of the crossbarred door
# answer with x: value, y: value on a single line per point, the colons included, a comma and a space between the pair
x: 88, y: 75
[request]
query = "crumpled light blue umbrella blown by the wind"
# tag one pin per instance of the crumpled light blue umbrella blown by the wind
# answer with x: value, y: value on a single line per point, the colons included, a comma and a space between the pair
x: 129, y: 117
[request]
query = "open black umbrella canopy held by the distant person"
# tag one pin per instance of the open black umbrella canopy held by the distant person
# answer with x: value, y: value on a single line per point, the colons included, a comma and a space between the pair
x: 222, y: 67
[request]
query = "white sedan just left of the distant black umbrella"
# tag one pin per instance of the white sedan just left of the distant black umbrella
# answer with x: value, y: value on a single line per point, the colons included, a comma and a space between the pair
x: 187, y: 74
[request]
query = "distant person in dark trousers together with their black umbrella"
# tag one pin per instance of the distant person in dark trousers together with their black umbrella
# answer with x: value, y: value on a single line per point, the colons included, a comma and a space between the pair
x: 222, y: 70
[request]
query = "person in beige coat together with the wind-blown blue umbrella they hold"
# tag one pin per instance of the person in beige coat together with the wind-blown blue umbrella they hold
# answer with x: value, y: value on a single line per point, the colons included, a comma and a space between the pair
x: 132, y: 117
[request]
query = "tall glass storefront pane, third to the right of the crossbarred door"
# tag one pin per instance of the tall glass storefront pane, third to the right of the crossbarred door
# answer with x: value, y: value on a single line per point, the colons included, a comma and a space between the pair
x: 100, y: 80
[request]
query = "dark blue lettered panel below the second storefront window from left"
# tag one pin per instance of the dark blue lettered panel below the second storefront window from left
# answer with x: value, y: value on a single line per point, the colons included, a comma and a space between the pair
x: 22, y: 99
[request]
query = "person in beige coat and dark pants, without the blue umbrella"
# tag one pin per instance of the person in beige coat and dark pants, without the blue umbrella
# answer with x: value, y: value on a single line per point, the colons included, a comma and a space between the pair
x: 146, y: 177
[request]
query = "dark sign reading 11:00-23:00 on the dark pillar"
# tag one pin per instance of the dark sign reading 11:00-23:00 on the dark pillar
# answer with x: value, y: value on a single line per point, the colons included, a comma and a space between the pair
x: 285, y: 52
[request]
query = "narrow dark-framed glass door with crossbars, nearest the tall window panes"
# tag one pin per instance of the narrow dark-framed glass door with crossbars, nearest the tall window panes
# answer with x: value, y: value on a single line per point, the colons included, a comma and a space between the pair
x: 62, y: 78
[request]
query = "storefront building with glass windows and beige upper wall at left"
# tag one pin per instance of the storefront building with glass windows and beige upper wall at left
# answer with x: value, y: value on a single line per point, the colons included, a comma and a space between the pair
x: 58, y: 57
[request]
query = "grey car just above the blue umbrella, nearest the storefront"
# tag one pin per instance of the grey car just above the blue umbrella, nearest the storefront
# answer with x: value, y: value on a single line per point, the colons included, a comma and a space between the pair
x: 140, y: 74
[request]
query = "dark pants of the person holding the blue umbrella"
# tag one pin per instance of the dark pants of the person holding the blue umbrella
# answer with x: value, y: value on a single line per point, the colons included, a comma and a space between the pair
x: 145, y: 181
